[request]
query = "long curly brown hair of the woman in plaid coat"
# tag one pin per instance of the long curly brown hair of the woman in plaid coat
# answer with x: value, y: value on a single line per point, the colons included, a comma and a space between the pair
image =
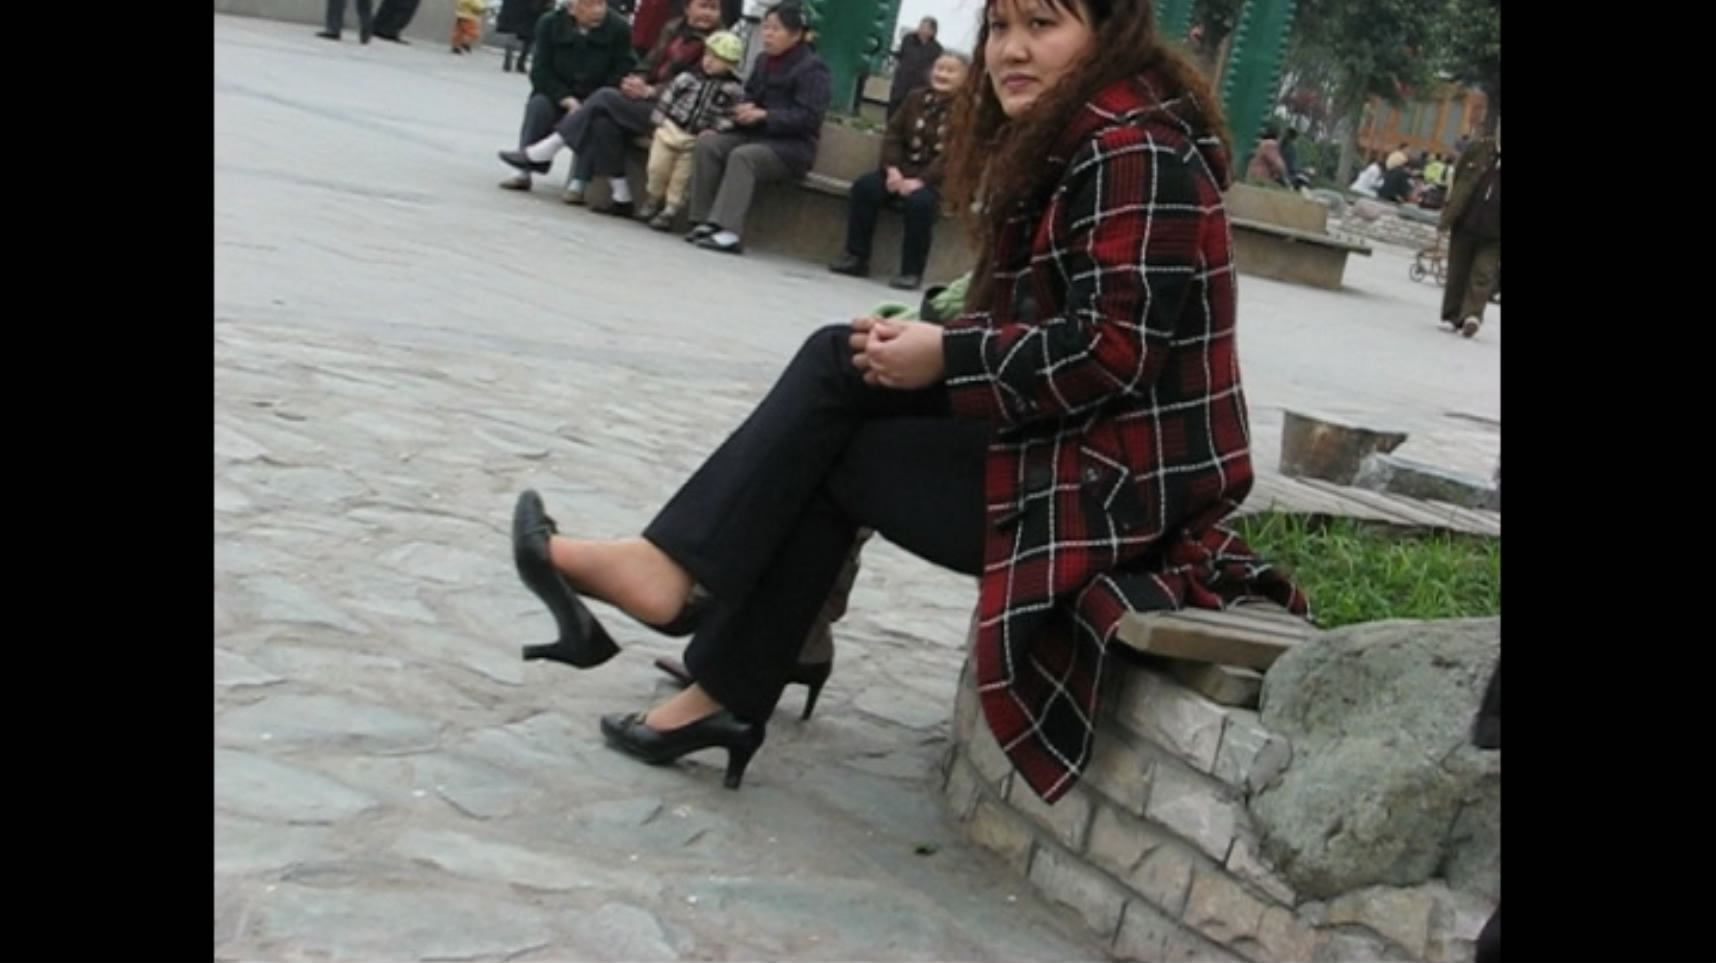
x: 996, y: 162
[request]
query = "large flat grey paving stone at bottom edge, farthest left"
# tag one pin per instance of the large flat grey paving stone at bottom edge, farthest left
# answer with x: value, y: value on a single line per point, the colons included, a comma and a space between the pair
x: 313, y: 923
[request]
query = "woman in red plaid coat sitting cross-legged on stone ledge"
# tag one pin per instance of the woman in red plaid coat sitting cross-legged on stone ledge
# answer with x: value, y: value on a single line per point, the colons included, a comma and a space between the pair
x: 1073, y: 439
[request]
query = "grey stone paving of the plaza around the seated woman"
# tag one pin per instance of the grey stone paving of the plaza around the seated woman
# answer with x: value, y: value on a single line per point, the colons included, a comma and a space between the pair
x: 399, y: 349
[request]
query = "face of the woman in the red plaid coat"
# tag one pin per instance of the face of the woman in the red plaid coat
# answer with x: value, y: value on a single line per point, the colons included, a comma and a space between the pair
x: 1032, y: 47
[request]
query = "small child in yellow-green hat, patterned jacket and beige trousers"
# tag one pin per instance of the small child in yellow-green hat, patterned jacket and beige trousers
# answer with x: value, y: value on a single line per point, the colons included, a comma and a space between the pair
x: 698, y: 102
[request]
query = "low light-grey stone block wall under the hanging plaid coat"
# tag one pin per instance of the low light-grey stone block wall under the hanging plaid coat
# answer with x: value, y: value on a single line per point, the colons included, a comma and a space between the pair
x: 1157, y: 852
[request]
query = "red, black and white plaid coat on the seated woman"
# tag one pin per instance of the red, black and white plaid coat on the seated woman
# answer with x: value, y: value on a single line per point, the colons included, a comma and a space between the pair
x: 1111, y: 375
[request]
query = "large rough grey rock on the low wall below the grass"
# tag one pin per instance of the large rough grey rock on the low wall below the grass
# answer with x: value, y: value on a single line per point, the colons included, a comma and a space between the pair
x: 1384, y: 787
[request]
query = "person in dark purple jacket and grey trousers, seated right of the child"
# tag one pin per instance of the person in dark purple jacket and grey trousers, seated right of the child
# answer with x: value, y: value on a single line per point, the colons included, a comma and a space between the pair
x: 778, y: 131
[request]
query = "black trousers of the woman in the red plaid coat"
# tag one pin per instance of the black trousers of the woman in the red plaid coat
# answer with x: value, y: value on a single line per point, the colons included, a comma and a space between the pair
x: 768, y: 521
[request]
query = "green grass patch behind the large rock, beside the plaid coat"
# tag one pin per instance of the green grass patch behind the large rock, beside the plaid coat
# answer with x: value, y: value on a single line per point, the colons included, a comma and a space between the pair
x: 1367, y: 572
